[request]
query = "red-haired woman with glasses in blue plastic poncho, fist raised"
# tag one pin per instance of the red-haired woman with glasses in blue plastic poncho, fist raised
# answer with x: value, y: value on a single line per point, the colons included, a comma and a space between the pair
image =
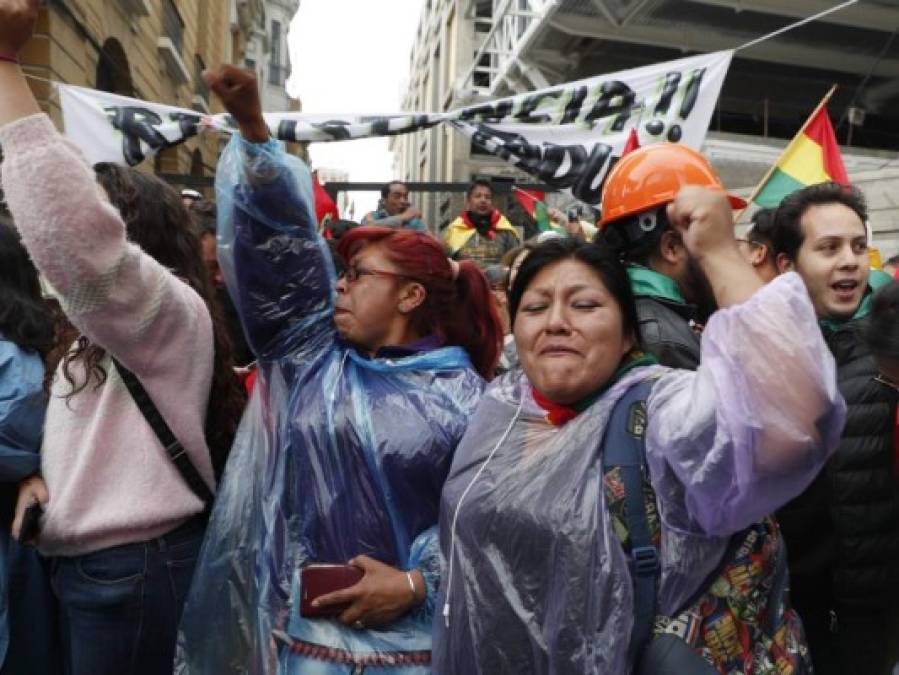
x: 322, y: 554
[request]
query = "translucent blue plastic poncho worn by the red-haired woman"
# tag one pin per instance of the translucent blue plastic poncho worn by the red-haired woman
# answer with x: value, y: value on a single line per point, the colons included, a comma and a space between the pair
x: 337, y: 455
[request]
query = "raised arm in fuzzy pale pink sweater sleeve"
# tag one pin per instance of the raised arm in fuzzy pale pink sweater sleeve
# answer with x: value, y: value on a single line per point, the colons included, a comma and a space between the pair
x: 111, y: 290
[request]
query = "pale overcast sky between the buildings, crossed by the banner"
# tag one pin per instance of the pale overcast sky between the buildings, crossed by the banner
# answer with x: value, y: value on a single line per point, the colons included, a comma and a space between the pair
x: 352, y: 56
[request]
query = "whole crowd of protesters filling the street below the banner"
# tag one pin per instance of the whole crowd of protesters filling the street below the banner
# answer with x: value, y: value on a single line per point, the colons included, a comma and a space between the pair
x: 232, y: 443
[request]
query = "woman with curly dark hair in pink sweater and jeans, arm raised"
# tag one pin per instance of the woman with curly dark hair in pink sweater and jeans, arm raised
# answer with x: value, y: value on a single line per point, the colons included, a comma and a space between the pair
x: 120, y: 521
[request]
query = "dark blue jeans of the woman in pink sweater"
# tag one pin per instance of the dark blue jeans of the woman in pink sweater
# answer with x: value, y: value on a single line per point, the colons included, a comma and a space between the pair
x: 120, y: 607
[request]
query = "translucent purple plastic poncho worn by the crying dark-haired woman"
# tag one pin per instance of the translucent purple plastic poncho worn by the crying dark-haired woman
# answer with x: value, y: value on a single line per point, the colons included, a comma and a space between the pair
x: 538, y: 581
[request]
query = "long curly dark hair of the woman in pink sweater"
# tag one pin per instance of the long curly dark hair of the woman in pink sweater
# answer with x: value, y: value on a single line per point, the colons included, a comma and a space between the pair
x: 156, y: 220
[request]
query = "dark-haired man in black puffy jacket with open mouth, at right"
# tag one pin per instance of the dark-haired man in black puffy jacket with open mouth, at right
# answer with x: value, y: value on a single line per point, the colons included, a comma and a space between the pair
x: 842, y: 533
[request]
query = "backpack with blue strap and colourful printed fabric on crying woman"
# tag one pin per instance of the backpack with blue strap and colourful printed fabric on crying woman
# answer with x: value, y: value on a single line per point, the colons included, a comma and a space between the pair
x: 739, y: 620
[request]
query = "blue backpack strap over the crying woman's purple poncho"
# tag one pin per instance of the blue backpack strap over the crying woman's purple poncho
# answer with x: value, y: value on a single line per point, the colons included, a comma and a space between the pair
x: 623, y: 447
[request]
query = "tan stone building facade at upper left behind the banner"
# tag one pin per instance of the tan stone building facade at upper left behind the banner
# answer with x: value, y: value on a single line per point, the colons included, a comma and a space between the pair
x: 153, y: 50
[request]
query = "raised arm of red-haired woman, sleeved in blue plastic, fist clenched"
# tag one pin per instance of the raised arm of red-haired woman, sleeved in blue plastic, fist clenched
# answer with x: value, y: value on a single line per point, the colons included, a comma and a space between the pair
x: 276, y: 266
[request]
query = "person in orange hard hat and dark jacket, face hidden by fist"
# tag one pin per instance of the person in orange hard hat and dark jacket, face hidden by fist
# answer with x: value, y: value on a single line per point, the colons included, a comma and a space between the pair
x: 673, y: 297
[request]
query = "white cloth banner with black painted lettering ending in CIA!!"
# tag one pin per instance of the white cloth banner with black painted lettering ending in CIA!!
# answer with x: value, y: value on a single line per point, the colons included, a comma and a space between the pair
x: 567, y: 136
